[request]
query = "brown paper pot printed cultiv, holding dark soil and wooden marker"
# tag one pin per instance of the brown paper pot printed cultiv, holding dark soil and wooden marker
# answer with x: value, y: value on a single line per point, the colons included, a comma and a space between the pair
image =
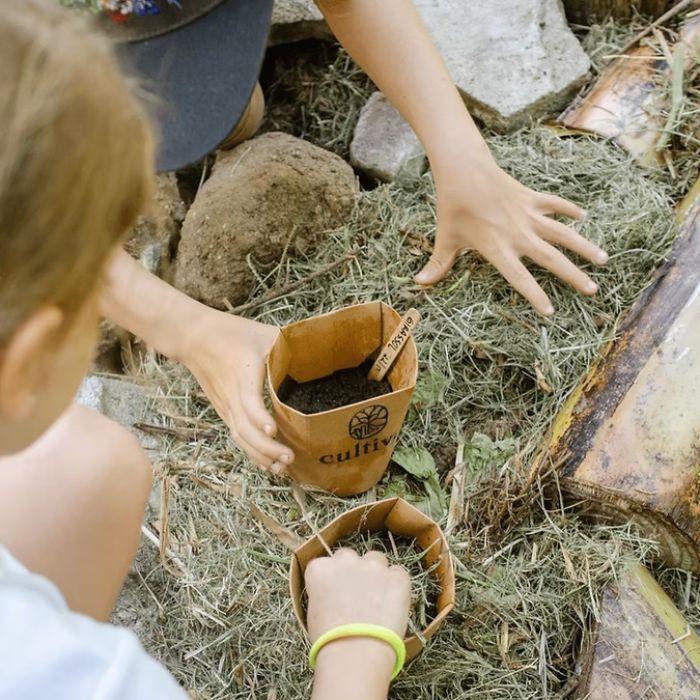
x: 345, y: 450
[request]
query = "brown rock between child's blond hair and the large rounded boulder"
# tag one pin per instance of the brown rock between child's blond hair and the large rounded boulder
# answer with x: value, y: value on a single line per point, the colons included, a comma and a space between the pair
x: 155, y: 235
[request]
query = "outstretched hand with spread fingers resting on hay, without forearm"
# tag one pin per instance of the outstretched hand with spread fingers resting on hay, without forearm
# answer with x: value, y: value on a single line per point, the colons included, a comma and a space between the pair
x: 480, y: 207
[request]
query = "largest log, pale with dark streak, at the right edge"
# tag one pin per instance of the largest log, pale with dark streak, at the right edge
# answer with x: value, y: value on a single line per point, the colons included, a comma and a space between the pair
x: 626, y: 445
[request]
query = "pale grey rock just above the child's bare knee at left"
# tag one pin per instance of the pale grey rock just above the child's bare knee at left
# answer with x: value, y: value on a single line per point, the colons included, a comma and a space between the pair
x: 124, y: 402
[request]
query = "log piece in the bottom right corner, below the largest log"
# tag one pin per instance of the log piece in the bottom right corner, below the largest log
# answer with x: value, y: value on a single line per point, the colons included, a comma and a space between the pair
x: 641, y: 646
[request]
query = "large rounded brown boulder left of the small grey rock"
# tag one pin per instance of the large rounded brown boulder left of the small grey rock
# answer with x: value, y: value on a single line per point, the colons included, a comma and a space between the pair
x: 271, y: 194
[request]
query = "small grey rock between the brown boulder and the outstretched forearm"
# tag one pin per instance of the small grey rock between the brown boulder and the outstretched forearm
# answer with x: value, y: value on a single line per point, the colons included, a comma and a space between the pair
x: 384, y: 146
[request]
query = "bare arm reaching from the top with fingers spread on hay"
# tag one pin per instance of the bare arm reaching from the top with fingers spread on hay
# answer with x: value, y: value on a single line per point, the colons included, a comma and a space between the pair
x: 479, y: 205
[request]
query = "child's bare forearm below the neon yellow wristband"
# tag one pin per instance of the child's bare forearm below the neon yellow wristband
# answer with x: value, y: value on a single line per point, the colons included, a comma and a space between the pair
x: 352, y: 668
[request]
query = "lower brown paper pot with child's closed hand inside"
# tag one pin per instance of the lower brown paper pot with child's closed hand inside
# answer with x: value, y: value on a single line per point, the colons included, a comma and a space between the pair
x: 401, y: 519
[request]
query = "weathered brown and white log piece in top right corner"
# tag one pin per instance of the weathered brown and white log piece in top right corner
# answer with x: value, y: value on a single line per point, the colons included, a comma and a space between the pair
x: 627, y: 102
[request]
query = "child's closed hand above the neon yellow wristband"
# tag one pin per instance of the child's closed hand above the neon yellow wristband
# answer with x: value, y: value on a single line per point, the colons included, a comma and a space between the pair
x: 348, y: 588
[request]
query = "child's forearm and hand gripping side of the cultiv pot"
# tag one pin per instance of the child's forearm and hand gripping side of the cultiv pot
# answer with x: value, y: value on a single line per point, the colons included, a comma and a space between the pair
x: 225, y: 353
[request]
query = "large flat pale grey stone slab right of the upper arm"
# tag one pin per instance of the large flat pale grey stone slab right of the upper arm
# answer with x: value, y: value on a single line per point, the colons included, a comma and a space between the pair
x: 512, y: 60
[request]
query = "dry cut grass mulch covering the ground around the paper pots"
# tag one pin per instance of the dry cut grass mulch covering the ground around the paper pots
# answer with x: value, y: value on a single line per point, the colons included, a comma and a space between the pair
x: 217, y: 611
